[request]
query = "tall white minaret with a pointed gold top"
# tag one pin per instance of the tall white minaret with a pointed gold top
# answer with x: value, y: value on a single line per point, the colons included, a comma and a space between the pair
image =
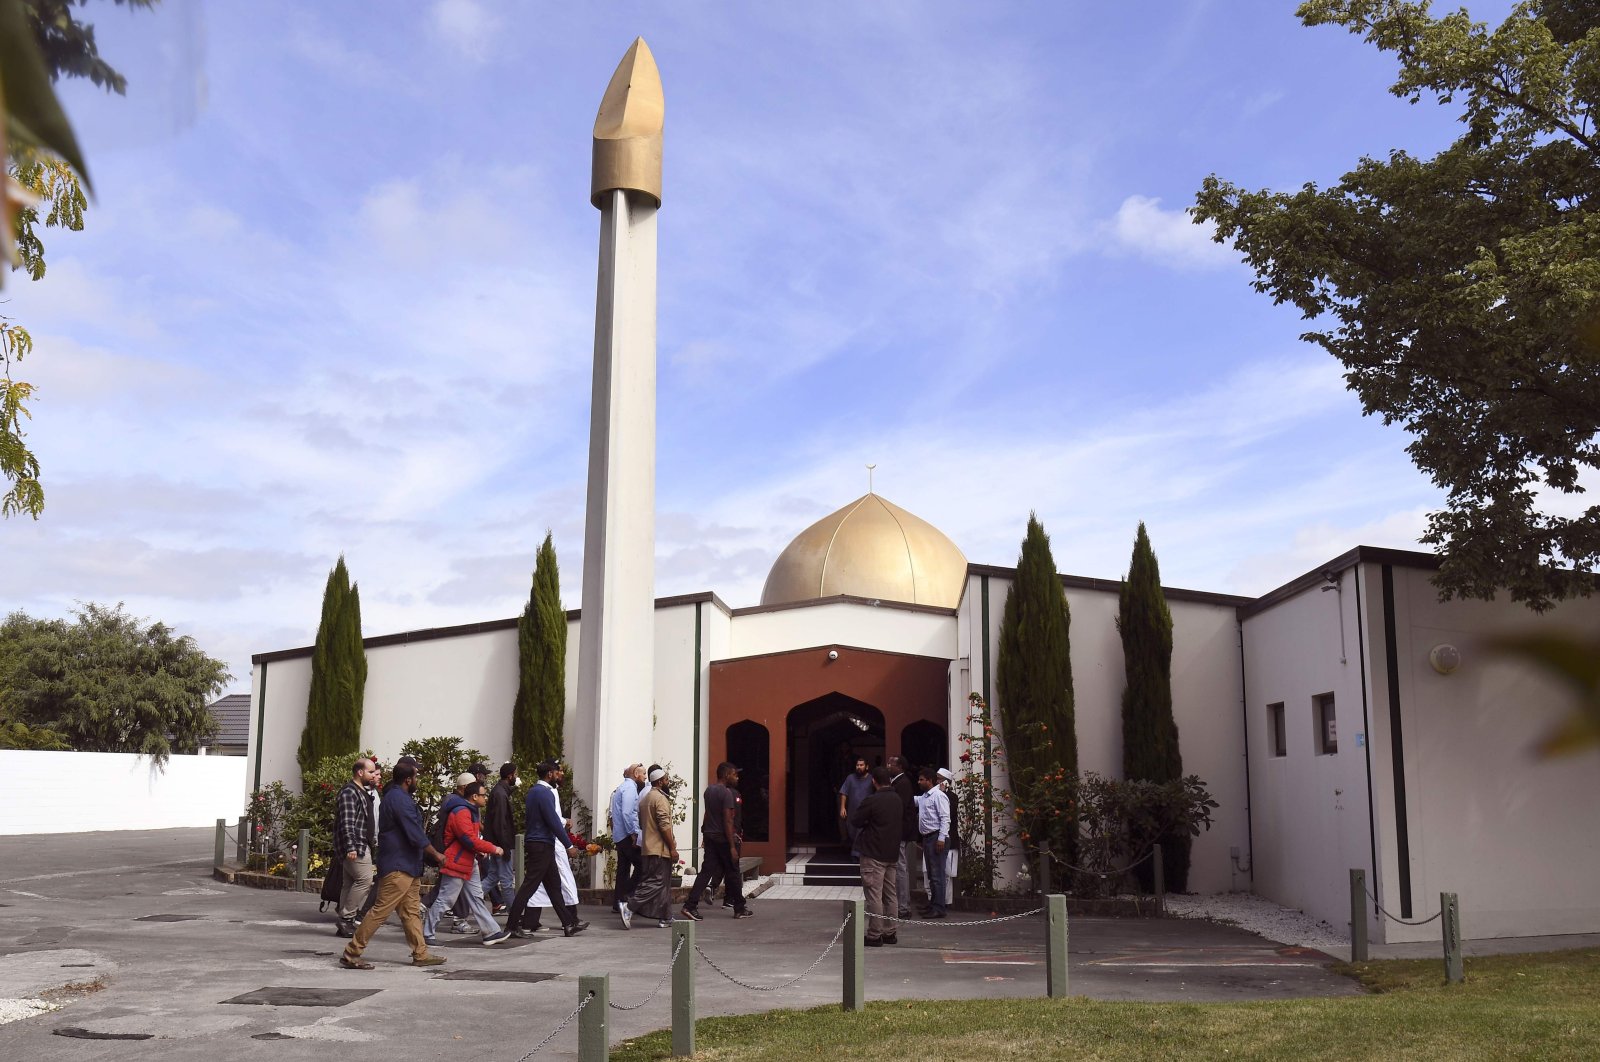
x: 617, y: 636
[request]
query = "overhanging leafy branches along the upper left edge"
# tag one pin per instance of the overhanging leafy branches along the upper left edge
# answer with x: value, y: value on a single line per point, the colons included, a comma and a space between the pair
x: 41, y: 42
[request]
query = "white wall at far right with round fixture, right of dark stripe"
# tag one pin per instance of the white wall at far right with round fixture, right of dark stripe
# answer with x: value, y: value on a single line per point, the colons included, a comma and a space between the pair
x: 1514, y: 836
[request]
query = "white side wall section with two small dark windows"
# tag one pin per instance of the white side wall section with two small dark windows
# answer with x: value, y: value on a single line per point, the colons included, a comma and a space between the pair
x: 1310, y: 812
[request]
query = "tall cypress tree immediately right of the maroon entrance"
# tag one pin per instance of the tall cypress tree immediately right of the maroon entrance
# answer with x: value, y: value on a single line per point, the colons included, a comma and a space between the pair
x: 1034, y: 682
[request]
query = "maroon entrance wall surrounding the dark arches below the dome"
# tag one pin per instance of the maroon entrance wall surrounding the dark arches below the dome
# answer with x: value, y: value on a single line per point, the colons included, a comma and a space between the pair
x: 764, y: 690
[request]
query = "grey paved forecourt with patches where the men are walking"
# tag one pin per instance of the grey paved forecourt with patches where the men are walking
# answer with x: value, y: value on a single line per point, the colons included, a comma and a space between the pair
x: 177, y: 959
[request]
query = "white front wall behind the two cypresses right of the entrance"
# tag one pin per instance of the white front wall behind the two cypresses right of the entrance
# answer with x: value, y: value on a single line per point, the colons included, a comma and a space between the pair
x: 1206, y: 705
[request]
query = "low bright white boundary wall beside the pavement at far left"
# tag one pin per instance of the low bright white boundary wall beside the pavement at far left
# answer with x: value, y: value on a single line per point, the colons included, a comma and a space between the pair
x: 78, y: 793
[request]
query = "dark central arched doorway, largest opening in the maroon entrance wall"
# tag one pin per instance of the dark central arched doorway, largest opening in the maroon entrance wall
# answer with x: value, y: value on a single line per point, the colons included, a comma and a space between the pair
x: 825, y: 737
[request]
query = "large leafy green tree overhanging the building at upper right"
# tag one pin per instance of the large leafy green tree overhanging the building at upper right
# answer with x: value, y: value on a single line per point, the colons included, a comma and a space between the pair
x: 1463, y: 292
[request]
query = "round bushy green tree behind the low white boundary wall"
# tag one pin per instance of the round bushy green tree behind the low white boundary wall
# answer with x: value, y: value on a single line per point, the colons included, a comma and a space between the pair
x: 108, y: 682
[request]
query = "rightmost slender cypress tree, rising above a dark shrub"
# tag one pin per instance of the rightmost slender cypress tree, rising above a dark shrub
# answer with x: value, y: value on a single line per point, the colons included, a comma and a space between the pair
x: 1150, y: 735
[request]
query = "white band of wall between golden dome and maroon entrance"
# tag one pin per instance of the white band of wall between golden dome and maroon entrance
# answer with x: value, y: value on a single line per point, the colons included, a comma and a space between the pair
x: 844, y: 623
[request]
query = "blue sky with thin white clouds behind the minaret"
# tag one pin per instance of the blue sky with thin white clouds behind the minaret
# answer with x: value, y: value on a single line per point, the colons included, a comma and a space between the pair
x: 337, y: 295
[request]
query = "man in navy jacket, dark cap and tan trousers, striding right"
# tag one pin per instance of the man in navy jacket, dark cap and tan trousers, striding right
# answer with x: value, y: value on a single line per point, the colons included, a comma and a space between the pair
x: 401, y: 848
